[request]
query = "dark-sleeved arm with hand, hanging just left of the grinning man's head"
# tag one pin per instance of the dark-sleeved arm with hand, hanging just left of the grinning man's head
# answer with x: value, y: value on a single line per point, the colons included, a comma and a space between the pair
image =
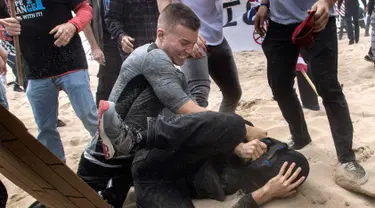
x: 113, y: 19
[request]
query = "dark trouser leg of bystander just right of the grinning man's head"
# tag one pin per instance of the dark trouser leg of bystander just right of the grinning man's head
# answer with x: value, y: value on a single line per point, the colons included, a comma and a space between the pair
x: 223, y: 71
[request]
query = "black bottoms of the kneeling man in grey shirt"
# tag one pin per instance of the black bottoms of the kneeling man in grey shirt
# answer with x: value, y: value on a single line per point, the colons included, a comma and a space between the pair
x: 97, y: 177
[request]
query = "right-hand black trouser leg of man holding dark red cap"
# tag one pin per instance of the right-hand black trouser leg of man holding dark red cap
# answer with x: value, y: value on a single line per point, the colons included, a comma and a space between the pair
x: 323, y: 59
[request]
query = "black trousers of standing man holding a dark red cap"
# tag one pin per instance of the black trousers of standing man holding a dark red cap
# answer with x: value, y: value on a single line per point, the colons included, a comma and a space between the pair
x: 281, y: 56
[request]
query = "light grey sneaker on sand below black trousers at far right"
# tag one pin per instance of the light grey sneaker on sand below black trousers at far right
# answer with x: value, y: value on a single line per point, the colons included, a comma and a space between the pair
x: 355, y: 172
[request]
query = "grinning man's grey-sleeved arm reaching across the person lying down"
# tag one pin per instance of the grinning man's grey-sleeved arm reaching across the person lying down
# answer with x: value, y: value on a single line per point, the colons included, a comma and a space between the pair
x: 167, y: 86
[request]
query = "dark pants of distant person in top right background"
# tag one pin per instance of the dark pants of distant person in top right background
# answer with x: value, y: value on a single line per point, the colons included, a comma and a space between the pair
x: 352, y: 18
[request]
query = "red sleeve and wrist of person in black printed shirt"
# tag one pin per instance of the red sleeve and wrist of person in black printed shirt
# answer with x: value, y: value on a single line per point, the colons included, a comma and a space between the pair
x: 83, y: 16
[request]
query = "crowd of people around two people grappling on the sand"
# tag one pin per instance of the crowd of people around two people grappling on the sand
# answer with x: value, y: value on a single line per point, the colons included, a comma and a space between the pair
x: 154, y: 131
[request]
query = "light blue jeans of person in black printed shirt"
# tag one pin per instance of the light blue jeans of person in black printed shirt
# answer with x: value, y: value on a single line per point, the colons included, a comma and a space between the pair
x: 43, y: 97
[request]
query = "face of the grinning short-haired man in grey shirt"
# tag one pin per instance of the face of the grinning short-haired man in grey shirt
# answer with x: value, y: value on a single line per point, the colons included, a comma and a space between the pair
x: 178, y: 42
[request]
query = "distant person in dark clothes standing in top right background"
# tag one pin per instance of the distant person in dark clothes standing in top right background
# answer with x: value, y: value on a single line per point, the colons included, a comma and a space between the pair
x: 352, y: 17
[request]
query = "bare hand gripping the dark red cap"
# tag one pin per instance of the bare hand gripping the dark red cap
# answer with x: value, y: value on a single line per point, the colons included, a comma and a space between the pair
x: 321, y: 8
